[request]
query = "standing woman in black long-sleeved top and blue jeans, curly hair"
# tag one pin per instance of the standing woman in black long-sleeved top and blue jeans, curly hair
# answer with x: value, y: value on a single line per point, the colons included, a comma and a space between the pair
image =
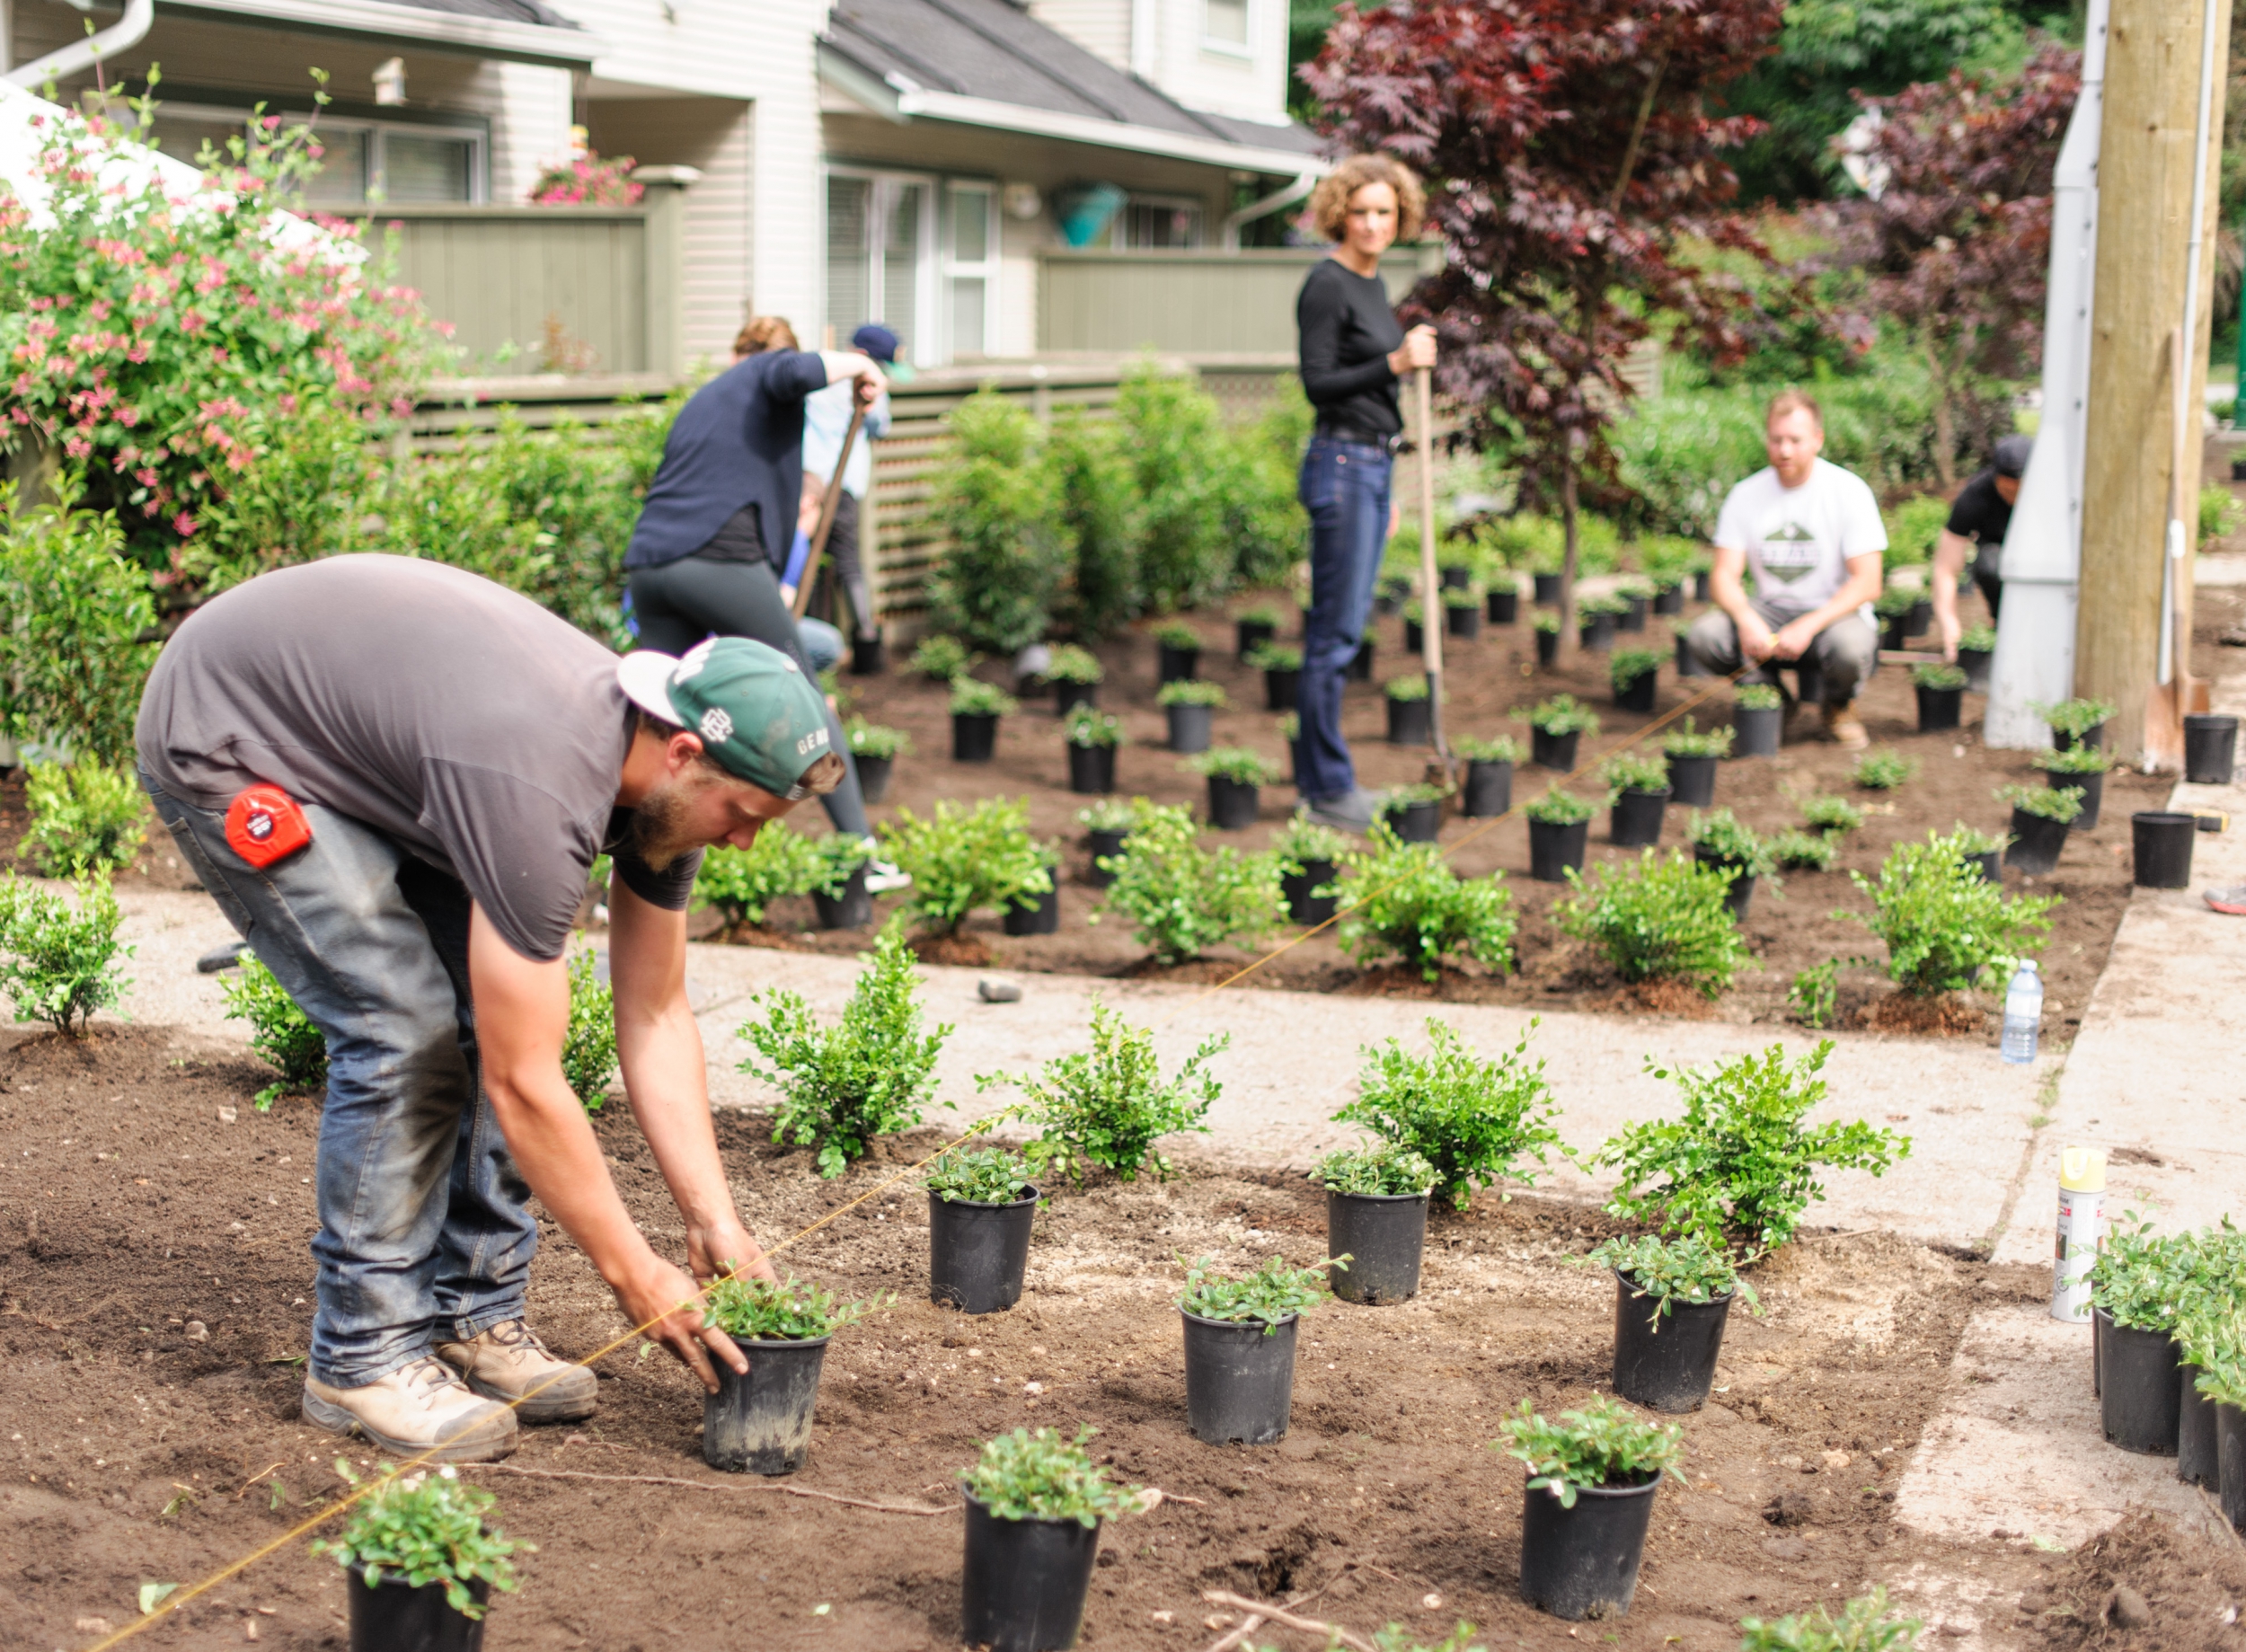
x: 1353, y: 358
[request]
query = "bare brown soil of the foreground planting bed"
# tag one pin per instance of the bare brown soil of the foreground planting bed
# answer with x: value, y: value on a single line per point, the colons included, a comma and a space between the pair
x: 154, y: 1314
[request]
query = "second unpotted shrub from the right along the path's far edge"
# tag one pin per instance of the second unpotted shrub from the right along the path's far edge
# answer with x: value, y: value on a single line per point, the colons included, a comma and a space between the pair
x: 1656, y: 921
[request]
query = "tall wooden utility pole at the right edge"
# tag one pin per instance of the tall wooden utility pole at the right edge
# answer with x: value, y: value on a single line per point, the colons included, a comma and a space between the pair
x: 2135, y: 446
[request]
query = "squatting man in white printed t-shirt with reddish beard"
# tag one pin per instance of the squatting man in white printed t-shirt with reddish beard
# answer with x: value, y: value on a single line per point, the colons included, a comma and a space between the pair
x: 1811, y: 535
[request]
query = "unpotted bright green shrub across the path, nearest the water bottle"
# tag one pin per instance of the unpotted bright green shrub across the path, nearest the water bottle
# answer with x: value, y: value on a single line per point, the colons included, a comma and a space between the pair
x: 1944, y: 924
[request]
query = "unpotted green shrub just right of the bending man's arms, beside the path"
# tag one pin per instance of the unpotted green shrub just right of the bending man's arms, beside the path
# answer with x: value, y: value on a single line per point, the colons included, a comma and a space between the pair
x: 868, y: 1076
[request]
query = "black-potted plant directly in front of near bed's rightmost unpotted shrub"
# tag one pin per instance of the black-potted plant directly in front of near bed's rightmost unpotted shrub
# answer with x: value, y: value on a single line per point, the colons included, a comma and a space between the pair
x: 1672, y: 1298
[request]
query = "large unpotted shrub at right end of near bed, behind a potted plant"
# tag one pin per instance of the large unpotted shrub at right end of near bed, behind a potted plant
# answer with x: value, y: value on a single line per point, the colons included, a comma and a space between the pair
x: 1737, y: 1166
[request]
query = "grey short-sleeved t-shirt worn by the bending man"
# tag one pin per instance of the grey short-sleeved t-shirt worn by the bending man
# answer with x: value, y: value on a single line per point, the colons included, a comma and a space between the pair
x: 450, y: 715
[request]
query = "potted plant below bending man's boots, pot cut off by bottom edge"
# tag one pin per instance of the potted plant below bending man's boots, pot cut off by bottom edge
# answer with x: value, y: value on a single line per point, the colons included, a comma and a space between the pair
x: 421, y: 1563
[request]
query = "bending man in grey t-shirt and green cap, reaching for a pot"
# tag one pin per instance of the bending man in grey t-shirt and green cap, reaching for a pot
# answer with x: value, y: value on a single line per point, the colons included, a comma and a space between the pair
x: 394, y: 778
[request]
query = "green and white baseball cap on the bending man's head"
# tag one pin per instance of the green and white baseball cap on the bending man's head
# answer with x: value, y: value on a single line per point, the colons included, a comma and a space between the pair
x: 754, y: 708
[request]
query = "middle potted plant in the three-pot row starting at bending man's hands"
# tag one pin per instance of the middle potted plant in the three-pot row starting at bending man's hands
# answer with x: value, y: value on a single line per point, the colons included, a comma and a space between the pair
x: 1241, y: 1348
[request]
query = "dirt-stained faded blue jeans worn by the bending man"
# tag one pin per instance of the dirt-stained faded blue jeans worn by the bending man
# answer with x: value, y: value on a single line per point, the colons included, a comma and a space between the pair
x: 423, y: 1233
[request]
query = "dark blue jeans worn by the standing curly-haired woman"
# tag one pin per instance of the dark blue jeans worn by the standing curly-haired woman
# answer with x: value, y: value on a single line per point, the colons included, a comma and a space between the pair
x: 1346, y: 495
